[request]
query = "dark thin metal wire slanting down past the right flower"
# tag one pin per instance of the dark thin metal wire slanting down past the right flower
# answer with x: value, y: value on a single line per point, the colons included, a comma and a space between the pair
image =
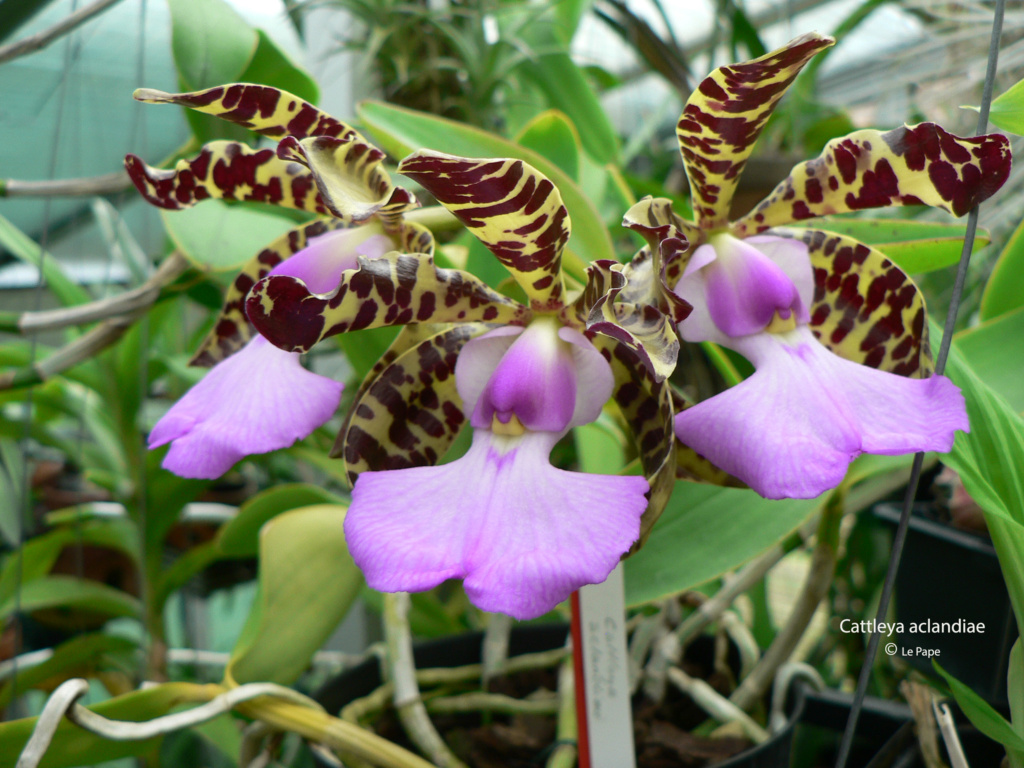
x: 941, y: 366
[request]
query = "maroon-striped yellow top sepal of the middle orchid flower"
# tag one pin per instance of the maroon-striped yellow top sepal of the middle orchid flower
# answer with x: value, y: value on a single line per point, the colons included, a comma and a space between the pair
x: 515, y: 210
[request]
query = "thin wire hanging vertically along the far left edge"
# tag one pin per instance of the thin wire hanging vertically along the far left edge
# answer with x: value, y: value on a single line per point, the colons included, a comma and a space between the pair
x: 26, y: 487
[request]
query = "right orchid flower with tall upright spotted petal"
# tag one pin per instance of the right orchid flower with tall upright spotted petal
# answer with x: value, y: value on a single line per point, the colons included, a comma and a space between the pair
x: 835, y: 330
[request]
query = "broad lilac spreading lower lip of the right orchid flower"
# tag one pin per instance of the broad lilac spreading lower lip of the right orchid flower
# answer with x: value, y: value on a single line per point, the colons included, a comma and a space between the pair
x: 792, y: 430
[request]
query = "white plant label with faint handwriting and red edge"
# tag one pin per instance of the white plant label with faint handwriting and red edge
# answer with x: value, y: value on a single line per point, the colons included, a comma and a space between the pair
x: 610, y: 716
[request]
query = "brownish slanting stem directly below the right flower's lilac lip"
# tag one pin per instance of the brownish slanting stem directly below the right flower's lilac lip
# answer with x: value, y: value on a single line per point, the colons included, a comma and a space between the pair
x: 820, y: 579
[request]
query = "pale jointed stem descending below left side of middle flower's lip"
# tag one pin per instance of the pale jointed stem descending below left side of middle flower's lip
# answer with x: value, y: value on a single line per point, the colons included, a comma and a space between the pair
x: 402, y: 672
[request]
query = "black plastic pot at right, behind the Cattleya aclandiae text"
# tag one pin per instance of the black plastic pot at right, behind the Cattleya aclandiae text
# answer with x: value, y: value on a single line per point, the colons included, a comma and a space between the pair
x: 946, y: 576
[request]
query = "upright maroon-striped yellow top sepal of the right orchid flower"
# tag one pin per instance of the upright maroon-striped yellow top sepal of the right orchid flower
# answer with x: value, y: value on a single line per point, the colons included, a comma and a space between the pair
x: 723, y: 119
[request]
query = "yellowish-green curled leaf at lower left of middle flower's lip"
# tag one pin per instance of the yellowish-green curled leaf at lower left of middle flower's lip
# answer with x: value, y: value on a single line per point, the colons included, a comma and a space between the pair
x: 308, y: 582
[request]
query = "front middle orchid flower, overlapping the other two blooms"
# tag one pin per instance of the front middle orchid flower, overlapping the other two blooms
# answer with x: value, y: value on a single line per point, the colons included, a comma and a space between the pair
x: 523, y: 534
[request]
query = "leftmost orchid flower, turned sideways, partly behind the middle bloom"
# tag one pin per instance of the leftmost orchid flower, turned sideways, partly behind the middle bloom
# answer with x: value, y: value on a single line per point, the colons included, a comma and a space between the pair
x: 216, y: 424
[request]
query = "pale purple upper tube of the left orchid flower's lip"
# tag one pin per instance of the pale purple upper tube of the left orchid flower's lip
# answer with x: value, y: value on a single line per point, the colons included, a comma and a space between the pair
x: 321, y: 264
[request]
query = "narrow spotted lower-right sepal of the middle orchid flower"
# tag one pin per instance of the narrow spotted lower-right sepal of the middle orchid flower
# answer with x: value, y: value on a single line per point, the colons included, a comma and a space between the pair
x: 647, y: 406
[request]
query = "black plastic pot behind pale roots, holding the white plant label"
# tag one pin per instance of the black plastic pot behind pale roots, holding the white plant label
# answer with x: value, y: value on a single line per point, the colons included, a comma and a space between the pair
x: 462, y: 650
